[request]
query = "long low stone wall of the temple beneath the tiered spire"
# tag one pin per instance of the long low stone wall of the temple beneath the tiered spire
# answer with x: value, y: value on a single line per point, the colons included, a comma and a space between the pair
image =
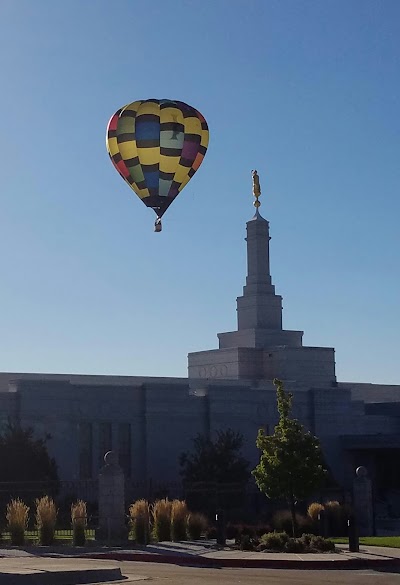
x: 164, y: 416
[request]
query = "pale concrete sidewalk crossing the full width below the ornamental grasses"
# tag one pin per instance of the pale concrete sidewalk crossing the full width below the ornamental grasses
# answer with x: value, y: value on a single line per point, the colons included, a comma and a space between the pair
x: 206, y: 553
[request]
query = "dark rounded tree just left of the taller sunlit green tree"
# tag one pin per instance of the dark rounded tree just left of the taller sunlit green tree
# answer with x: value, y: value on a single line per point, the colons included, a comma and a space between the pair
x: 215, y: 473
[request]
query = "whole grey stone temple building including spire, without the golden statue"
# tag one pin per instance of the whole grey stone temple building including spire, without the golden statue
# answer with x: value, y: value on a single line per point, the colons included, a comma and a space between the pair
x: 149, y: 421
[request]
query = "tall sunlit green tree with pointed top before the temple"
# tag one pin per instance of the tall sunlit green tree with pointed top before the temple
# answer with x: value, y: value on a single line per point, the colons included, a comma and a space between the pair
x: 291, y: 463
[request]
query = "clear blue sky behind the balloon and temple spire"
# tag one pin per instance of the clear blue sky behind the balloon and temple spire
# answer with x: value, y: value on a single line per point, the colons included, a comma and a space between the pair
x: 306, y: 91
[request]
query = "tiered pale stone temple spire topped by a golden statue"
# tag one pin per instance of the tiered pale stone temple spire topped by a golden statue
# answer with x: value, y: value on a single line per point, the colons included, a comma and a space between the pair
x: 260, y: 348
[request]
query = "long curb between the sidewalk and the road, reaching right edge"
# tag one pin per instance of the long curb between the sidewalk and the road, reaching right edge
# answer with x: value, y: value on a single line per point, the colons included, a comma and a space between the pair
x: 198, y: 561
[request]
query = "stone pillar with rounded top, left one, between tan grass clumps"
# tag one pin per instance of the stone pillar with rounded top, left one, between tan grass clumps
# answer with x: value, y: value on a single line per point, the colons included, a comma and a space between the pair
x: 112, y: 525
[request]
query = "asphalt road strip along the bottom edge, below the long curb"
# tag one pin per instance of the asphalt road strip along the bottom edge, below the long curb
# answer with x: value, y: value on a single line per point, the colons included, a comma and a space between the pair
x: 176, y: 575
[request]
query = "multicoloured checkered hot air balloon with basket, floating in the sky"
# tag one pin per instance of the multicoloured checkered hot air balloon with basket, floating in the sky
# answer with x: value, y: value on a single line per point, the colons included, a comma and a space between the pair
x: 157, y: 146
